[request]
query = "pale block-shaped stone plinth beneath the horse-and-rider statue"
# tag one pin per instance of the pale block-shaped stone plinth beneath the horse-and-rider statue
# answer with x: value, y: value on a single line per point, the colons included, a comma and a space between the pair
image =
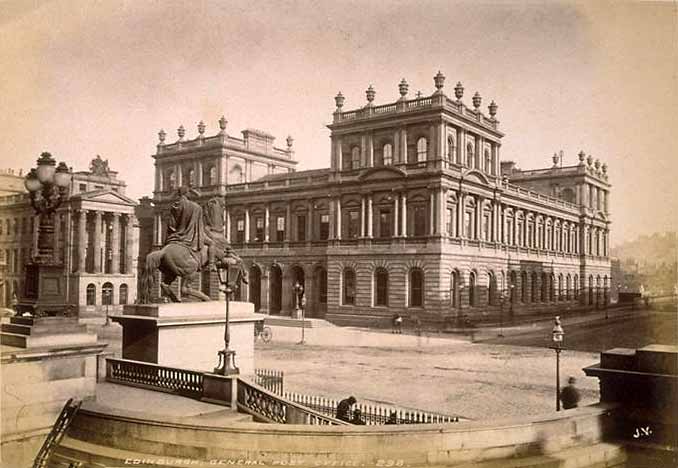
x: 188, y: 335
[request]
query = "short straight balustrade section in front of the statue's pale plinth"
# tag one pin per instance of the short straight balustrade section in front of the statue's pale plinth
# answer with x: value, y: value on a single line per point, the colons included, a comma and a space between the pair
x: 155, y: 377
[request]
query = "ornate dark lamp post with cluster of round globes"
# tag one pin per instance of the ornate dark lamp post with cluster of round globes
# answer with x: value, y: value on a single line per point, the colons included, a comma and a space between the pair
x: 48, y: 188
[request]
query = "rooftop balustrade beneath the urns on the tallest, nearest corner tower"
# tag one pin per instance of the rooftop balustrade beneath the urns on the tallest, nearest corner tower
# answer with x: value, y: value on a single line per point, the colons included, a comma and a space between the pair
x: 438, y: 101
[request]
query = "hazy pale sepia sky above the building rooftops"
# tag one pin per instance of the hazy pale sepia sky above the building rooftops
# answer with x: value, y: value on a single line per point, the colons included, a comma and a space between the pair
x: 80, y: 78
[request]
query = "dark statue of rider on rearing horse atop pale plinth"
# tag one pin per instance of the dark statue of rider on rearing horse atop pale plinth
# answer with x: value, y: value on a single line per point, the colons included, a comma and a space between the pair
x: 195, y: 242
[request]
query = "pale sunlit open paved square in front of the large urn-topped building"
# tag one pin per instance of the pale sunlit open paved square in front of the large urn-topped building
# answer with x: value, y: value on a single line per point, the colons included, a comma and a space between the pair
x: 445, y: 374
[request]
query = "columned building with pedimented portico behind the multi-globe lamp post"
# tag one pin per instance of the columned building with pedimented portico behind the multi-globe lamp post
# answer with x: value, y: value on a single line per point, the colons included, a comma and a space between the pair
x: 96, y: 239
